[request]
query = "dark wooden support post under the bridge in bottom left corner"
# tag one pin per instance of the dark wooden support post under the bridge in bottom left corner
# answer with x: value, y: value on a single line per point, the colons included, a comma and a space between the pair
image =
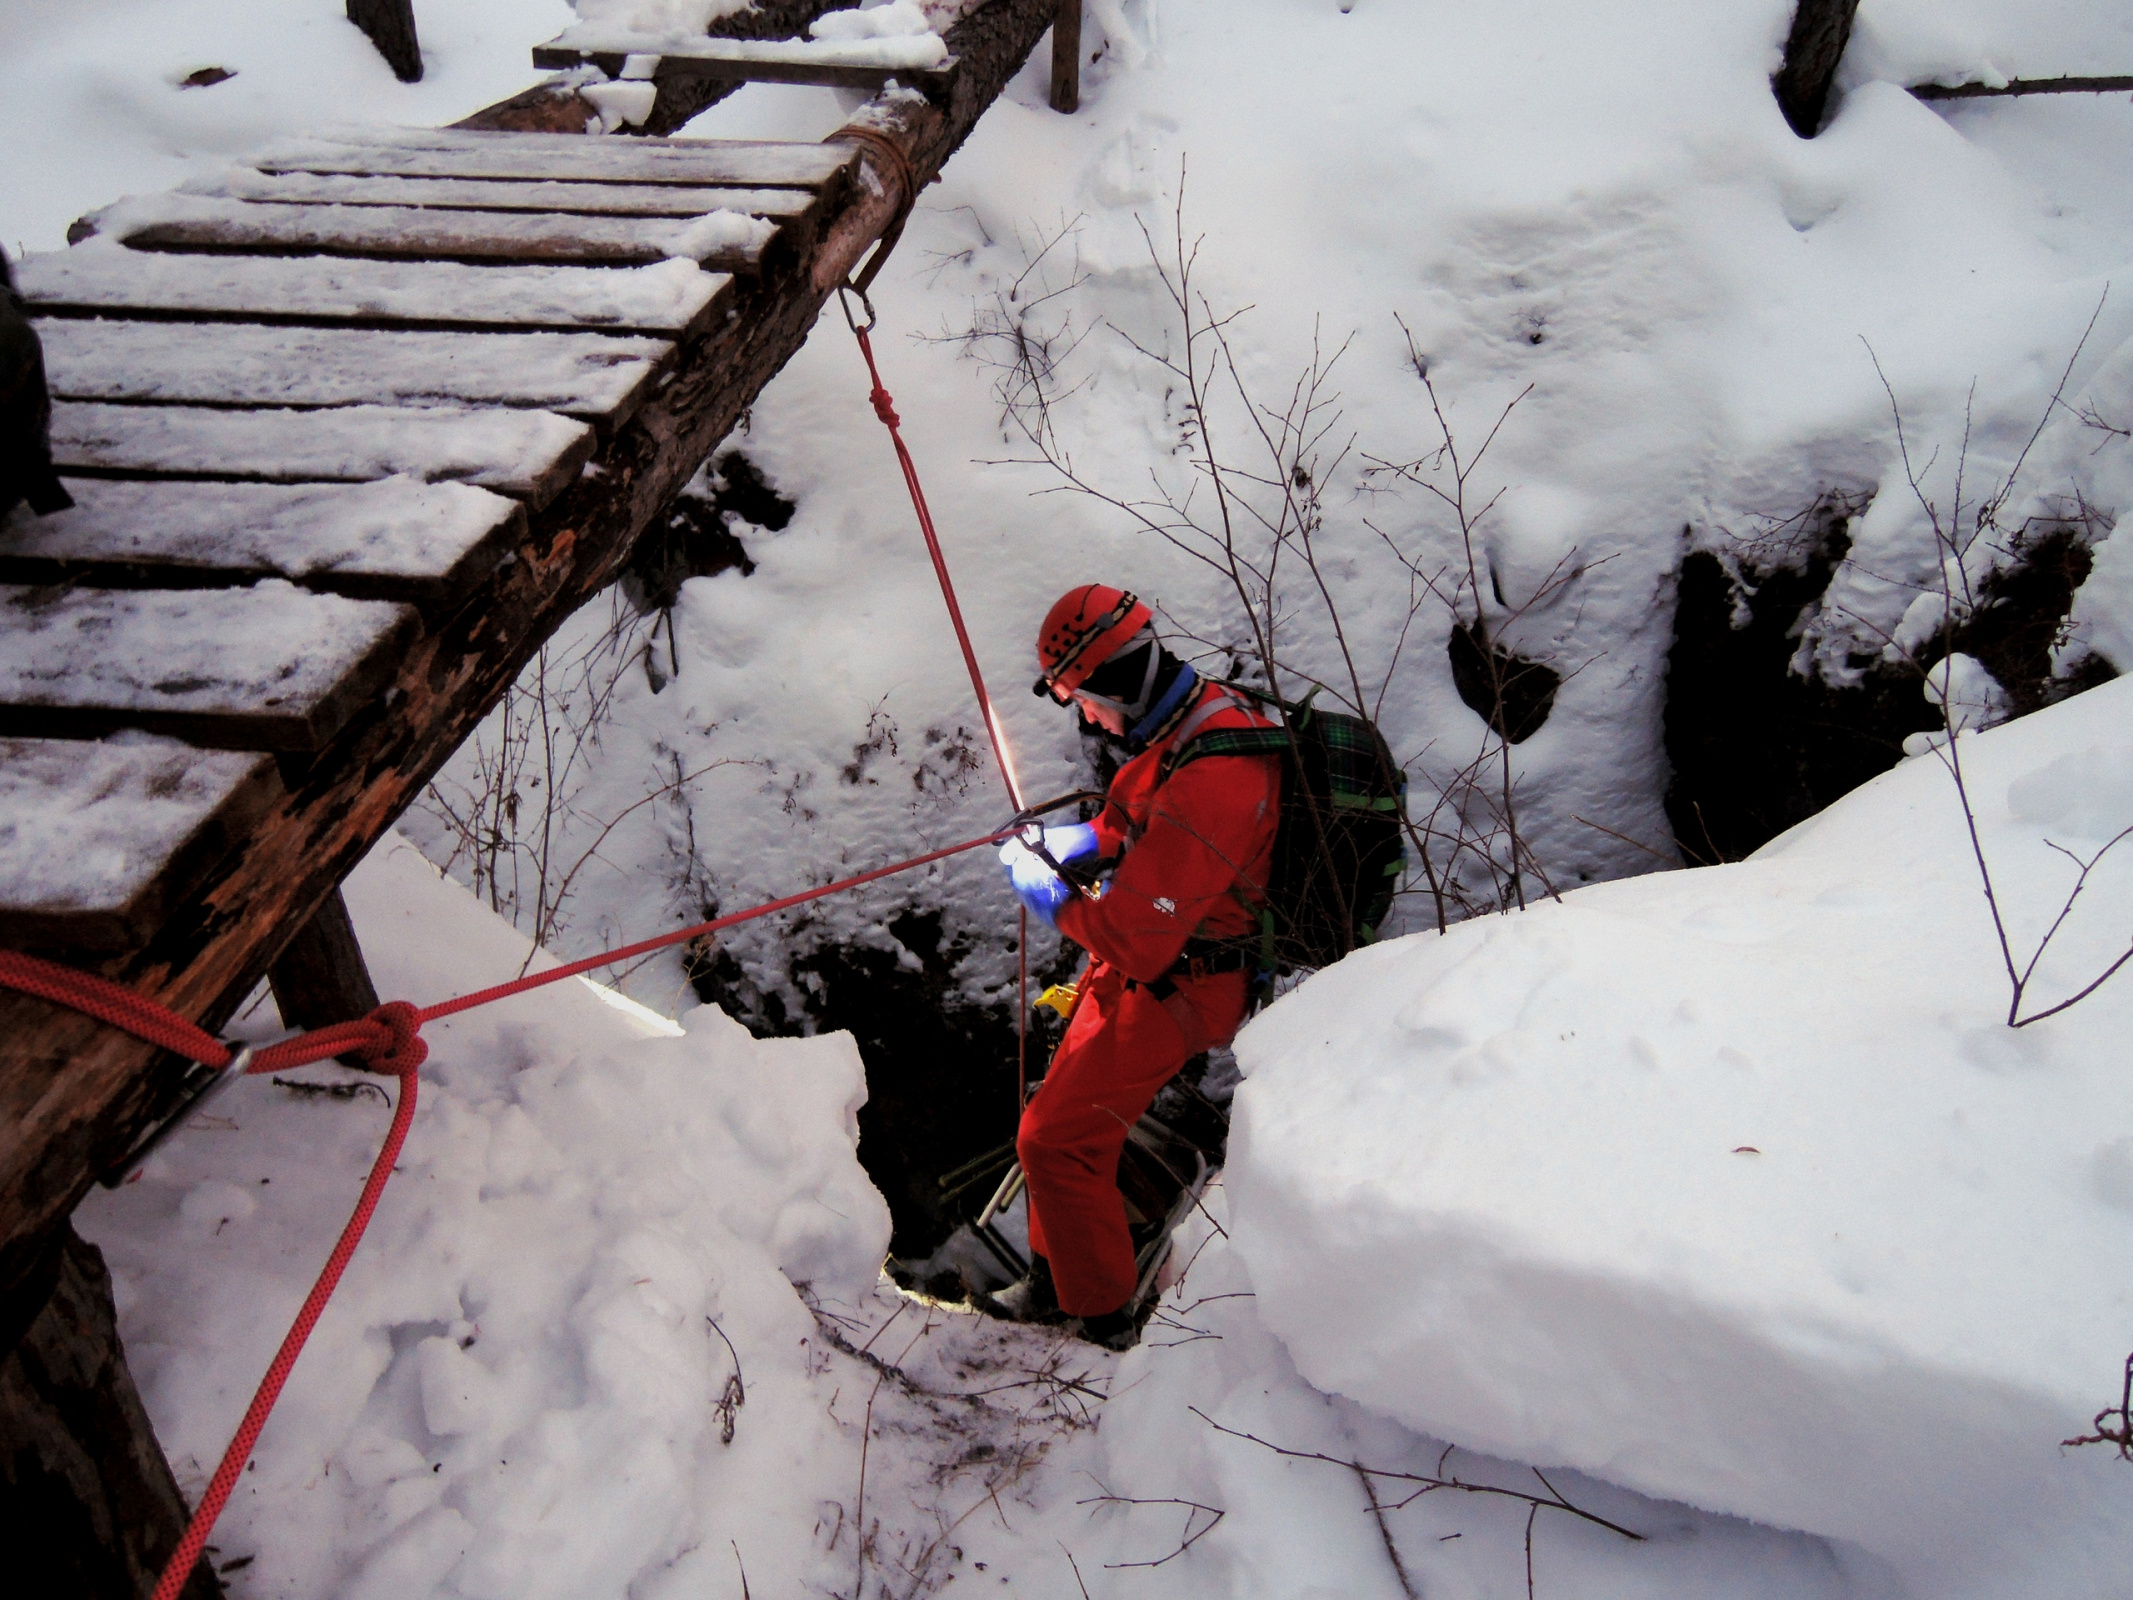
x: 89, y: 1507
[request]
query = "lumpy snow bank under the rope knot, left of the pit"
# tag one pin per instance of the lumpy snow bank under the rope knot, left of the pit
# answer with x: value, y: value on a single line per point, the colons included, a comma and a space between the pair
x: 519, y: 1388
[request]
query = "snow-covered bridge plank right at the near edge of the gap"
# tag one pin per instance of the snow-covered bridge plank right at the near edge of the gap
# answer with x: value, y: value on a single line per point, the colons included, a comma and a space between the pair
x: 440, y: 153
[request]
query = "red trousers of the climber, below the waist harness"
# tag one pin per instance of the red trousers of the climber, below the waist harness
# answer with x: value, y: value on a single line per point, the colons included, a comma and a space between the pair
x: 1119, y: 1051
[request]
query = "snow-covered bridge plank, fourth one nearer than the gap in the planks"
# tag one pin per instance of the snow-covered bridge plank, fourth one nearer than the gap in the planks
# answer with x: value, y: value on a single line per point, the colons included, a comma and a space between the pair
x: 101, y: 276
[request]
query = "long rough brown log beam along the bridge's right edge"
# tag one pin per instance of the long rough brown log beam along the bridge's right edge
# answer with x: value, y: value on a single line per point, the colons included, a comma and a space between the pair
x: 74, y: 1093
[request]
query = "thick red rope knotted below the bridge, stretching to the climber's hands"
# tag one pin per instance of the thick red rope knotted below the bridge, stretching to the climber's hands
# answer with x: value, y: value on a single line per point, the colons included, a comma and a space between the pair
x: 391, y: 1042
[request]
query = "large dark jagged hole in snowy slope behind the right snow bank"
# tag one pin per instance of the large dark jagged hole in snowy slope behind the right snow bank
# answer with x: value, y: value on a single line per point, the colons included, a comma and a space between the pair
x: 1759, y: 748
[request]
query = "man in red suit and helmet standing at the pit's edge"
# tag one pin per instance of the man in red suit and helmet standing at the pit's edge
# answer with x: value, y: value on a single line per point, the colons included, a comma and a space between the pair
x: 1172, y: 935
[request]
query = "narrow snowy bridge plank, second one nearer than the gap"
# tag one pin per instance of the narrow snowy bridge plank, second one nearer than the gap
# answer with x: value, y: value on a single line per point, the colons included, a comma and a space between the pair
x: 504, y: 195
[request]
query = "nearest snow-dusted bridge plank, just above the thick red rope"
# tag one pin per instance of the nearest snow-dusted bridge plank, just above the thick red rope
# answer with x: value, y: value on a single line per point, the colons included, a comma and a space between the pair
x: 101, y: 837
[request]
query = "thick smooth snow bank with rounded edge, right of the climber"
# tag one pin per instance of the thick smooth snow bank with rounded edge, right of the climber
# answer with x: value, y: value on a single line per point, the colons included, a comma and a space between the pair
x: 1735, y: 1187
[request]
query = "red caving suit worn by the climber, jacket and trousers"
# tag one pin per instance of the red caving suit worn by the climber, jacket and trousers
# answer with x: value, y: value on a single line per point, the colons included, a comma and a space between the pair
x: 1187, y: 846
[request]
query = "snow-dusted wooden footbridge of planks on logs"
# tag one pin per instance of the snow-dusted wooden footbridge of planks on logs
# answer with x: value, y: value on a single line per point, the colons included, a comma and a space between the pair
x: 351, y: 430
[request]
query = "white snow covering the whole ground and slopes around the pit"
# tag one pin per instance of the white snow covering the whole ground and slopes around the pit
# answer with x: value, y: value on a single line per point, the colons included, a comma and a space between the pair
x: 1725, y: 1249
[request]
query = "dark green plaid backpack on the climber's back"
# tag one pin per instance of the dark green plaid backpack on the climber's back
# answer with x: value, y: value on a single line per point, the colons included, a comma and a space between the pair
x: 1341, y: 837
